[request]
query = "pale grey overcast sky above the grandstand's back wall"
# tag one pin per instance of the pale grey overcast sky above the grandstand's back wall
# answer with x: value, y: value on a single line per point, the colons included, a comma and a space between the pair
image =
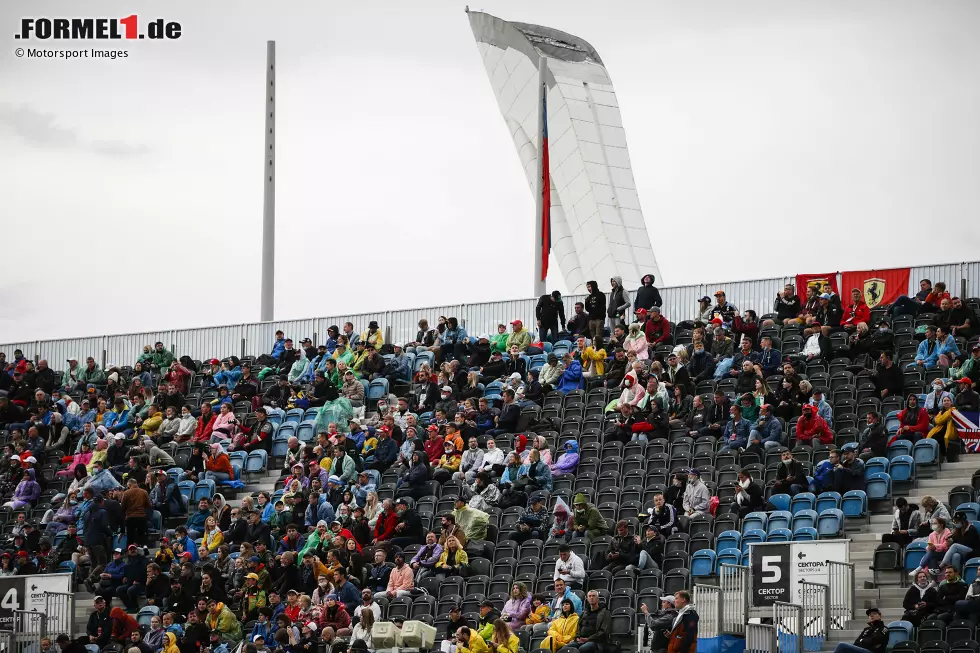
x: 768, y: 137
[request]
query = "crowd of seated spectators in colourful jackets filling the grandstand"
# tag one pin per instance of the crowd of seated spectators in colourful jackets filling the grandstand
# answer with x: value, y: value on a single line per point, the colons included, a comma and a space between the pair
x: 393, y: 495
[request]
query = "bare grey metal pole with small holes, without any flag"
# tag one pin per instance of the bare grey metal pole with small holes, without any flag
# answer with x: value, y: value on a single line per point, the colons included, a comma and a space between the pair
x: 269, y: 196
